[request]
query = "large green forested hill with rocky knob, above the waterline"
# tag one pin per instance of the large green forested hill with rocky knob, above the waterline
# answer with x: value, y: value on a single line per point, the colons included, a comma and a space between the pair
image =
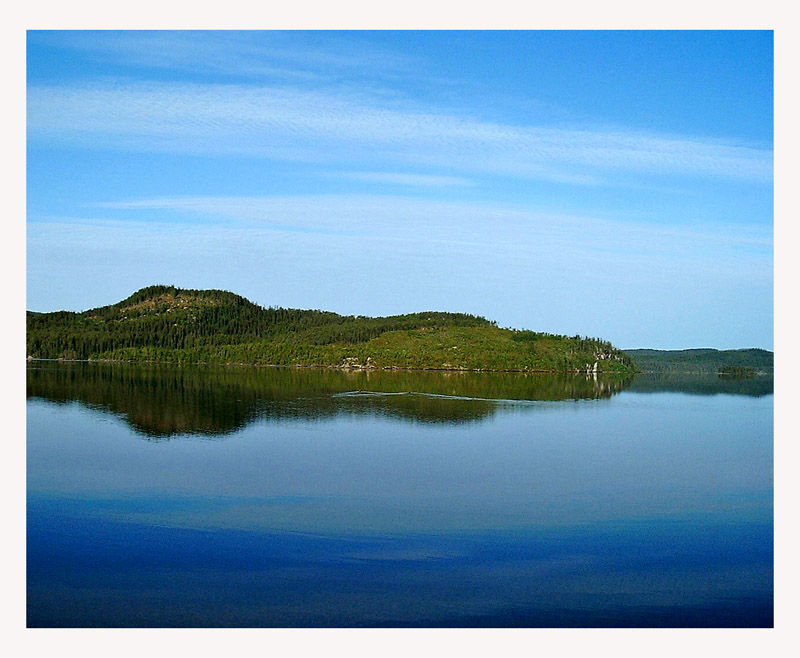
x: 169, y: 324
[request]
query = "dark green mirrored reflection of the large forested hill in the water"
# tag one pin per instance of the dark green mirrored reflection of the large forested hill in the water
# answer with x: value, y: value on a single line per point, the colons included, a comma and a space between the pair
x: 164, y: 400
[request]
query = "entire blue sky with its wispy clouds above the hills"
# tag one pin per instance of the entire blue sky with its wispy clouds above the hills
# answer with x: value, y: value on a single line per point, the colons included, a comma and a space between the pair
x: 613, y: 184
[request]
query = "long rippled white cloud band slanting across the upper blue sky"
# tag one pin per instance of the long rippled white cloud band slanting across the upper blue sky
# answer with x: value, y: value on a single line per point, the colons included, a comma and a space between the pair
x: 289, y: 123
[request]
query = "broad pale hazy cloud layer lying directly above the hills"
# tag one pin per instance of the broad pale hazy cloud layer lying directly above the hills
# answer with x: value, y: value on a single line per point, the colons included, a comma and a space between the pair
x: 380, y: 255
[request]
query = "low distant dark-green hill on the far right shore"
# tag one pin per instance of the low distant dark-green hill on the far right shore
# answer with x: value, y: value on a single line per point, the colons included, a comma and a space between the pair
x: 701, y: 360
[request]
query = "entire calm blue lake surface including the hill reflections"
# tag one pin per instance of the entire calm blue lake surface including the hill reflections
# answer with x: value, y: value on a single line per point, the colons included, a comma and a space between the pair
x: 212, y: 496
